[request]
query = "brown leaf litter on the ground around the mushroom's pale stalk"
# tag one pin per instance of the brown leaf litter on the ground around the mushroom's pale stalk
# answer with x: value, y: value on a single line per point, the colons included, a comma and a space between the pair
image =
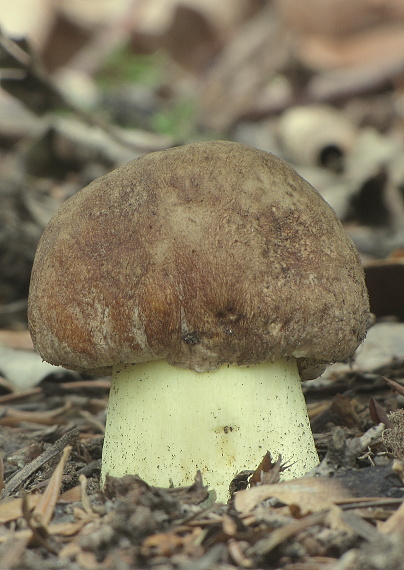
x: 54, y: 515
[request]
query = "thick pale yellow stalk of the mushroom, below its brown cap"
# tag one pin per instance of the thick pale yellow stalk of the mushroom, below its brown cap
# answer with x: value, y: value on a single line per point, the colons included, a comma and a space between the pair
x: 165, y: 423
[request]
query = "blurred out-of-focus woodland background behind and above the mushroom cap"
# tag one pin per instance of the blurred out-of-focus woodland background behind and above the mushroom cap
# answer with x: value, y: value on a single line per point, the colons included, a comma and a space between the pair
x: 89, y: 84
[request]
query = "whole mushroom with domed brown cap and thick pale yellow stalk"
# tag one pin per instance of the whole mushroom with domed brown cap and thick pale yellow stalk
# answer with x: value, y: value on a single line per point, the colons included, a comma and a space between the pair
x: 209, y: 278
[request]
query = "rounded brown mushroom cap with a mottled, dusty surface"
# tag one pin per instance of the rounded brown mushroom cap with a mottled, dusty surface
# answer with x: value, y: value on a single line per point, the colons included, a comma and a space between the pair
x: 204, y: 254
